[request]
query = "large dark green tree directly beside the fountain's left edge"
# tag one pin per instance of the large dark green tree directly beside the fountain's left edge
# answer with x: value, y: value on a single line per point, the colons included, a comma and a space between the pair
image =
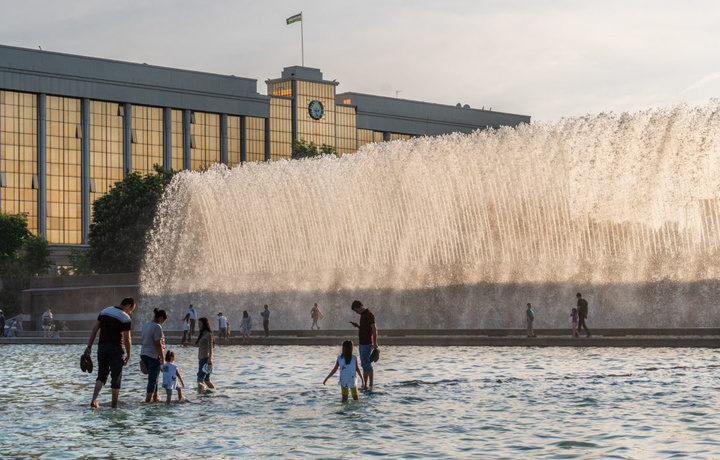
x: 121, y: 220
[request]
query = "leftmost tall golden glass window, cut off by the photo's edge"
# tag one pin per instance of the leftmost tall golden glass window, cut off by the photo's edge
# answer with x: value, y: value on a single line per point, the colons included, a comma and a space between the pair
x: 18, y: 155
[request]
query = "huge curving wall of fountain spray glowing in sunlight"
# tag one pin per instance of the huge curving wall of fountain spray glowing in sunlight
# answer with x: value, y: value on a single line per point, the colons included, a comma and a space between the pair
x: 459, y: 230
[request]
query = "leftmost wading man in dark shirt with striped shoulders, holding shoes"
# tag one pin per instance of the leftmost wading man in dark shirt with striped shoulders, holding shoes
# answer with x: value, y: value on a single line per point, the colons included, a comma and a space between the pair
x: 114, y: 324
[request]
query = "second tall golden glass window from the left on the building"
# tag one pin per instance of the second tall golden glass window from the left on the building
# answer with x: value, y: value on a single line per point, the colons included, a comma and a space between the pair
x: 63, y: 171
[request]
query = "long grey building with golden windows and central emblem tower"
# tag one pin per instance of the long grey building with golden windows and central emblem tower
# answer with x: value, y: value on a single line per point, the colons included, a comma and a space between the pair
x: 72, y: 126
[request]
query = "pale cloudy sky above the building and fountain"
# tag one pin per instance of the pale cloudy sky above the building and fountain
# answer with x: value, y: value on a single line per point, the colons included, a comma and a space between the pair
x: 550, y: 59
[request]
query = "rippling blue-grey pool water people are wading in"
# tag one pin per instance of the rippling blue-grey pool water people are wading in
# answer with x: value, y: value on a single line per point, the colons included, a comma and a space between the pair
x: 429, y: 402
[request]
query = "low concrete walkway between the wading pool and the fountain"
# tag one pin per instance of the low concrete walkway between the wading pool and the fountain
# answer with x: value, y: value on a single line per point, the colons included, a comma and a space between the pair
x: 665, y: 337
